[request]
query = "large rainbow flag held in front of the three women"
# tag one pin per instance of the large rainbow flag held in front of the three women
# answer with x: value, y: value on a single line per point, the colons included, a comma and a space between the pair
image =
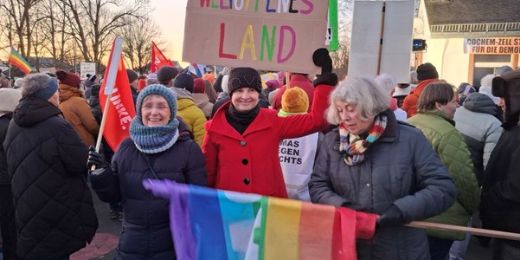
x: 216, y: 224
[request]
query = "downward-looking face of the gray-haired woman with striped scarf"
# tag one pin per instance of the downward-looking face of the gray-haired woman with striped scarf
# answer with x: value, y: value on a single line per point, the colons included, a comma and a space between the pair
x: 351, y: 118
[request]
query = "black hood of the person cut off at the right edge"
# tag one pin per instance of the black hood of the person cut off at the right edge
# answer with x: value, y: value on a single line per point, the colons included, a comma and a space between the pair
x: 507, y: 87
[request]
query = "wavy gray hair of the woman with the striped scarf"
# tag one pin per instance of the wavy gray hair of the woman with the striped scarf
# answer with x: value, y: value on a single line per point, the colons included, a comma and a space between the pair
x: 369, y: 98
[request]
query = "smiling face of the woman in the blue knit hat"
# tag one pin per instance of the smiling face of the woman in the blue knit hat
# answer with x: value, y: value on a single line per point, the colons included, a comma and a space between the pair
x: 155, y: 111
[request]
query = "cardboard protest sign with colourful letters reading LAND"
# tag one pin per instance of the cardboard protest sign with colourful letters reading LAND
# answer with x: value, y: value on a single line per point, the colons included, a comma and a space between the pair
x: 264, y: 34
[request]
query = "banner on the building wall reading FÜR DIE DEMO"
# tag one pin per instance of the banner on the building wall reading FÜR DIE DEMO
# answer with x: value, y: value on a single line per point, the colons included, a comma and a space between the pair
x: 492, y: 45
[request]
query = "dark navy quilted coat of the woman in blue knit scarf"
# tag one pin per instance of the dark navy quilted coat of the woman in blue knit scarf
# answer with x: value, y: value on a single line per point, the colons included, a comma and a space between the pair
x: 146, y: 228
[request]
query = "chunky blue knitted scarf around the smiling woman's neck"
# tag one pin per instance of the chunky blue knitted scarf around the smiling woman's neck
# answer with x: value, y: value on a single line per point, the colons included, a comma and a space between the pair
x: 156, y: 139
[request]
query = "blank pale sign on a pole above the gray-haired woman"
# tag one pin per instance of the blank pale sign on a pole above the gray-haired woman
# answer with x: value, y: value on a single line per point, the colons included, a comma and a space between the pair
x: 381, y: 39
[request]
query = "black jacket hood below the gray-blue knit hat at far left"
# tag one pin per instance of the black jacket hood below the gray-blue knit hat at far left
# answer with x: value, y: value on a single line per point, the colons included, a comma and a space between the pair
x: 31, y: 111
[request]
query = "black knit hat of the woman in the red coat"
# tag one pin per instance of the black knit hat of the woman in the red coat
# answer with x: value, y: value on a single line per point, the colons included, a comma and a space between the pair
x: 244, y: 77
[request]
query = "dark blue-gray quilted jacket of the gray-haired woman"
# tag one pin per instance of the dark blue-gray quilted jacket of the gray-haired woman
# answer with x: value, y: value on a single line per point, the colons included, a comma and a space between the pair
x: 400, y: 169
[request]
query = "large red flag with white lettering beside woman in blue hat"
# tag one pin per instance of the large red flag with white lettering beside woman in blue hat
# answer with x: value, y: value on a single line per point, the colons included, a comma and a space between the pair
x: 121, y: 109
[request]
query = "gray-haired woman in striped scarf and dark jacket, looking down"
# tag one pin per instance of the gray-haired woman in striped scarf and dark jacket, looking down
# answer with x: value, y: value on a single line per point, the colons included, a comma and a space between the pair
x: 374, y: 163
